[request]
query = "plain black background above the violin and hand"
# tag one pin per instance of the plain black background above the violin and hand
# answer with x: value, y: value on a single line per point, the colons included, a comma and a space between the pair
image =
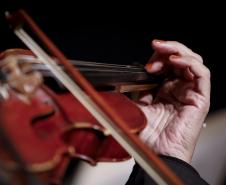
x: 120, y: 33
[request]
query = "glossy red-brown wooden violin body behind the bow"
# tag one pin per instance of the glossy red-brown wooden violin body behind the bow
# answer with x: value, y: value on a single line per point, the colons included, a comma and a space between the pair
x: 48, y: 129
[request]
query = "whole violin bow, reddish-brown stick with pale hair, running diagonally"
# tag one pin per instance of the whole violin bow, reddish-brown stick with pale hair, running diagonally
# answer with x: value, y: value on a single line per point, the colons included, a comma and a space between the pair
x: 93, y: 102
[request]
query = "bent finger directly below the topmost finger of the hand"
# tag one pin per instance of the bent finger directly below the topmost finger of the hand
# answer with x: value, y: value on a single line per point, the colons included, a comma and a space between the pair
x: 200, y: 72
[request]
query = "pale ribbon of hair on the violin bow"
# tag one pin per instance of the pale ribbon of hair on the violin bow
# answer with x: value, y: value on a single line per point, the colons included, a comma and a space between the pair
x: 91, y: 107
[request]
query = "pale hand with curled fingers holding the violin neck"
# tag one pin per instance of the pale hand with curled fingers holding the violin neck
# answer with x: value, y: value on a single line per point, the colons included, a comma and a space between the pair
x: 176, y: 114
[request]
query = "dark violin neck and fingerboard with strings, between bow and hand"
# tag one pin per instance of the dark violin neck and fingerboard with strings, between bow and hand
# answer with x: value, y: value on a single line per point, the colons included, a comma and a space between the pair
x: 120, y: 78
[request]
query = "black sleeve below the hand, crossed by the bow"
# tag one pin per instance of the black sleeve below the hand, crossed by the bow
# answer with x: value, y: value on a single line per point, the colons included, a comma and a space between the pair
x: 184, y: 171
